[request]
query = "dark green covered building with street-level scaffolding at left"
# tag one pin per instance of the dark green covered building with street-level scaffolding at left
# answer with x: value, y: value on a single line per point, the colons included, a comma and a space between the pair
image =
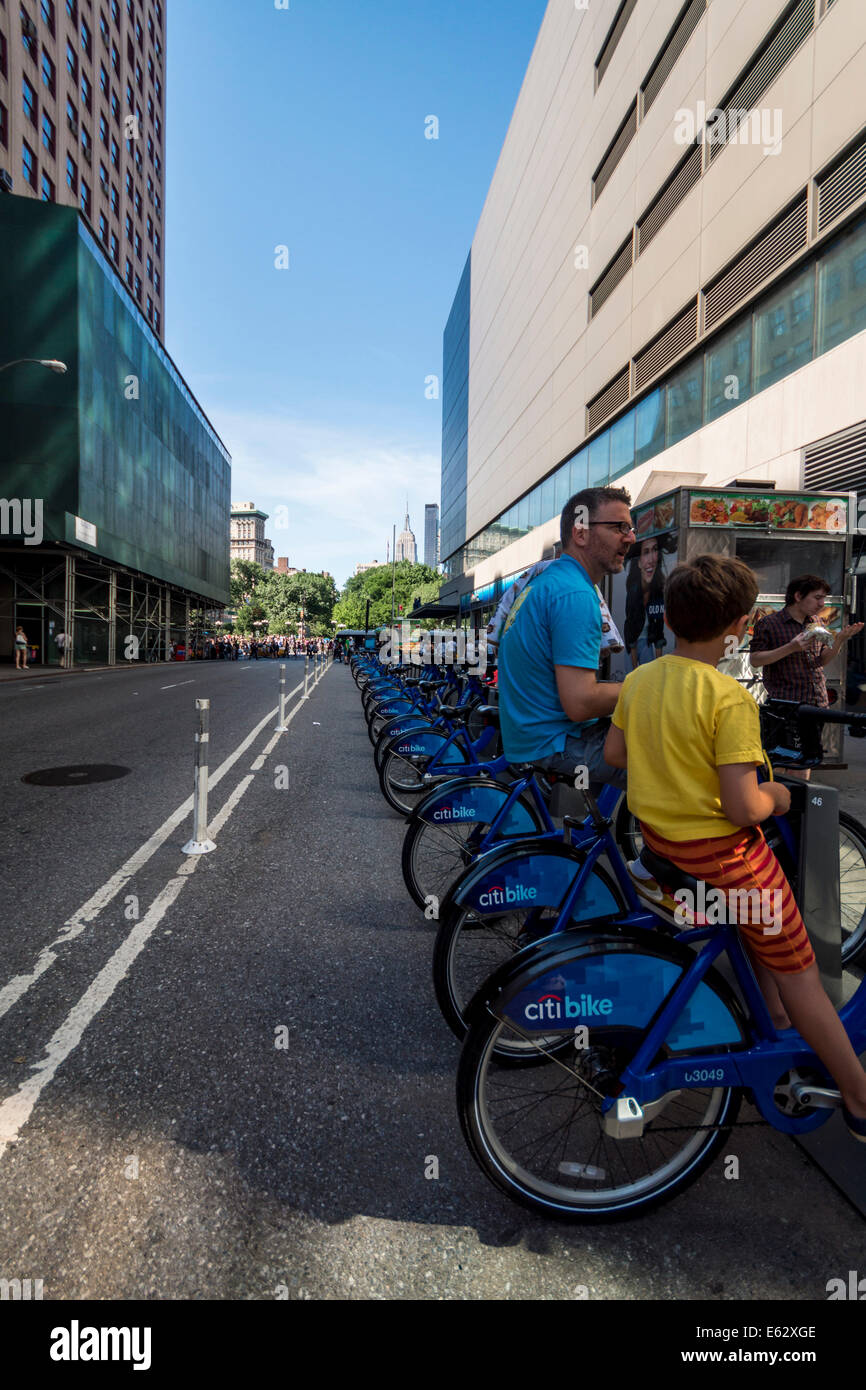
x: 115, y: 489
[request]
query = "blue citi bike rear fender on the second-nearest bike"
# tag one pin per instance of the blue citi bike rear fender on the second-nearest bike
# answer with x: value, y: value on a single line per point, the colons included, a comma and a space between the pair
x: 532, y: 876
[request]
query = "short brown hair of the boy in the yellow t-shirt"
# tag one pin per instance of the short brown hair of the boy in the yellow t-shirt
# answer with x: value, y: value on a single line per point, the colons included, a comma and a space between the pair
x: 705, y: 597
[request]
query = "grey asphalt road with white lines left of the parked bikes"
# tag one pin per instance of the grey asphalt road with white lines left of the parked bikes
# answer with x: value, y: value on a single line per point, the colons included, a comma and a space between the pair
x: 156, y: 1140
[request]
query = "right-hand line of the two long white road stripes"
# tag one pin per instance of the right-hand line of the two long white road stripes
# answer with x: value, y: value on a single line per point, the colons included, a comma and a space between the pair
x: 17, y: 1110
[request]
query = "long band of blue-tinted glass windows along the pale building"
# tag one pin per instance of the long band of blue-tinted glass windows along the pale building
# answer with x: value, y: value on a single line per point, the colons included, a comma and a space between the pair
x: 815, y: 309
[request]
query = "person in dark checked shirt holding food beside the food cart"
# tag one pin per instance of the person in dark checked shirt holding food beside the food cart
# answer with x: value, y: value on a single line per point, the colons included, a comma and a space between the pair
x: 792, y: 658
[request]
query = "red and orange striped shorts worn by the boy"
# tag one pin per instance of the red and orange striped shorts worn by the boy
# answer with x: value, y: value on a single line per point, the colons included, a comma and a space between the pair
x: 758, y: 894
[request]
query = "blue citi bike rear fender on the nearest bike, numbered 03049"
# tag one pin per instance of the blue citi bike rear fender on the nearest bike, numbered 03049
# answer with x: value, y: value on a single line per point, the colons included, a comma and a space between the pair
x: 611, y: 983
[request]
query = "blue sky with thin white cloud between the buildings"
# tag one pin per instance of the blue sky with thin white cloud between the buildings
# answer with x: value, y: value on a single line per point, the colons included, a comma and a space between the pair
x: 305, y: 129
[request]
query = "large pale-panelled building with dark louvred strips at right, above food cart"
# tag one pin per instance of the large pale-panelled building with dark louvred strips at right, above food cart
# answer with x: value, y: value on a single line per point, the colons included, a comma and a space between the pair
x: 668, y: 281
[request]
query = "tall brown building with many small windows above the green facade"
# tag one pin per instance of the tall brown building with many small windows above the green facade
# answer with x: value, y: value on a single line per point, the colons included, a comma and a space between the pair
x: 83, y: 123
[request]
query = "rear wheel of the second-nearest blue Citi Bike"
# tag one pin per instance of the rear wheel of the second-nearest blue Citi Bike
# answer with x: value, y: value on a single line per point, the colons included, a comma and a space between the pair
x: 471, y: 947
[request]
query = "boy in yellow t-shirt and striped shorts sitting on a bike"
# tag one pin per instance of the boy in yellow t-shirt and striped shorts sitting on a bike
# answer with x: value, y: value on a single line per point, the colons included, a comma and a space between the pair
x: 692, y: 740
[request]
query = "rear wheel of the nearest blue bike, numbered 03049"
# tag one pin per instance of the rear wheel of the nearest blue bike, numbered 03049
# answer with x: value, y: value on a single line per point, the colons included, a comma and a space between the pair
x: 539, y: 1132
